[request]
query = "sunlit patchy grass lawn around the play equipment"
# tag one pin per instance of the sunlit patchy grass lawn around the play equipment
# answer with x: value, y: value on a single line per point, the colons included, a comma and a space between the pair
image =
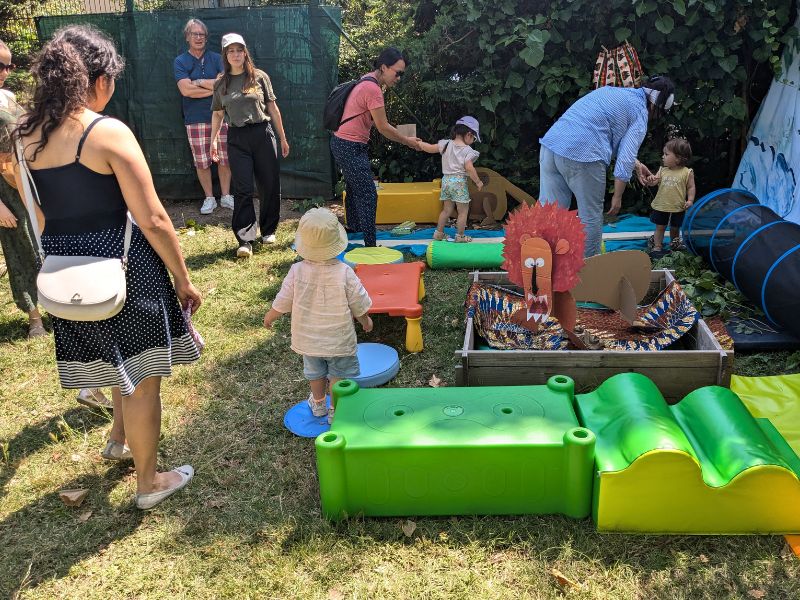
x: 249, y: 524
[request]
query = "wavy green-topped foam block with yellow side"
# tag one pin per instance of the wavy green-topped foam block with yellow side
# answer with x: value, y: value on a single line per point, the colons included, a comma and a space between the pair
x: 702, y: 466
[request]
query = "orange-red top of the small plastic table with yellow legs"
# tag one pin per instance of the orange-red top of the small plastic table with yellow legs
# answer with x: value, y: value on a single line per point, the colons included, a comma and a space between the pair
x: 394, y: 289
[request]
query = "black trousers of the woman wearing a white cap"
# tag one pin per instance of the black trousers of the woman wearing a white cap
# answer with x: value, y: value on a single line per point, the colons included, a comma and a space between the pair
x: 252, y: 150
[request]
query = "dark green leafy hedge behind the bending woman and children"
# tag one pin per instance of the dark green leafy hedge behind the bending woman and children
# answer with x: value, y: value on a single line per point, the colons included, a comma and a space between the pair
x: 516, y: 65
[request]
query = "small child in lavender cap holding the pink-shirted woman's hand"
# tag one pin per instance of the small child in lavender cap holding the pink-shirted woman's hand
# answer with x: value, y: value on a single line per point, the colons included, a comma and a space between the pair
x: 457, y: 164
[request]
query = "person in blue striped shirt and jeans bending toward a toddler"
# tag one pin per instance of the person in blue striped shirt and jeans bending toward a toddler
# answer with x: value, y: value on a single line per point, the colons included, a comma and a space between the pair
x: 577, y: 150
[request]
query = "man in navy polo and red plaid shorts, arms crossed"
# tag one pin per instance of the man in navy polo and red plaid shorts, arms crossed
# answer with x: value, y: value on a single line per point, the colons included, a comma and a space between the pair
x: 196, y: 70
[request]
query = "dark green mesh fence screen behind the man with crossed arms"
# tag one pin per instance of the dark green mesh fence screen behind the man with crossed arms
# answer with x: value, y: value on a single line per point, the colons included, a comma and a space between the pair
x: 297, y: 45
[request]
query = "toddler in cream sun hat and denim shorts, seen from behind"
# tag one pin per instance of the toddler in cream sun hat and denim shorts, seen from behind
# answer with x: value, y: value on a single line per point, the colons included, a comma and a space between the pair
x: 323, y: 294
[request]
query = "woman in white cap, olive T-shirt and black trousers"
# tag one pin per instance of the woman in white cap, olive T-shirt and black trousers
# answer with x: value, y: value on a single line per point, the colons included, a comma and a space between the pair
x: 244, y: 98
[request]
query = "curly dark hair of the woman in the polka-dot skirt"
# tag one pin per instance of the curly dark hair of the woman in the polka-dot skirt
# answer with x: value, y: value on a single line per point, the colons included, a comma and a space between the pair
x: 65, y: 71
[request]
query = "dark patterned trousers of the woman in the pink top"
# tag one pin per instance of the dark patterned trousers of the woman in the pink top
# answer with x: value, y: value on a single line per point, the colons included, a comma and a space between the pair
x: 362, y: 197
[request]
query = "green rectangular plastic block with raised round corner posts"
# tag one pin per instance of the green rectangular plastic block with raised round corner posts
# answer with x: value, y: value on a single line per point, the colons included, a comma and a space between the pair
x: 455, y: 451
